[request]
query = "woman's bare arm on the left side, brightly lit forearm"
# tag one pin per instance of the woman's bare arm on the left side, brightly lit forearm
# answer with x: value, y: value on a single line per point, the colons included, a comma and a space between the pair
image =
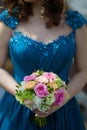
x: 6, y: 80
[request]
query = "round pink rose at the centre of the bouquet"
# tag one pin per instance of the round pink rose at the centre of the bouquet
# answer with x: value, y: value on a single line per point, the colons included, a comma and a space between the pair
x: 41, y: 90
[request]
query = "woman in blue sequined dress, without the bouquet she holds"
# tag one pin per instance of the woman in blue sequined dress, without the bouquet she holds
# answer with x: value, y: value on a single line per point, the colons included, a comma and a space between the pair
x: 42, y: 34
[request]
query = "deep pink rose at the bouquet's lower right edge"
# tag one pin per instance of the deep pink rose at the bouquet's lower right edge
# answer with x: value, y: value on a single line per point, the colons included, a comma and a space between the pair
x: 59, y: 96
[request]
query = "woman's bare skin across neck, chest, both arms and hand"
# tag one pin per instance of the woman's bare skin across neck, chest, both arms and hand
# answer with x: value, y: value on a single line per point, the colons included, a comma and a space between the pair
x: 79, y: 79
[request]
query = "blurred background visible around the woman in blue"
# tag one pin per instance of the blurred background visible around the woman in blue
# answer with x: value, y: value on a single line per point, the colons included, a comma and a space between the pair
x: 80, y: 6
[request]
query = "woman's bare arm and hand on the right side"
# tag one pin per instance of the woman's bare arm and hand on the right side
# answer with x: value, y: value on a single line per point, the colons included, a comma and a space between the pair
x: 79, y: 79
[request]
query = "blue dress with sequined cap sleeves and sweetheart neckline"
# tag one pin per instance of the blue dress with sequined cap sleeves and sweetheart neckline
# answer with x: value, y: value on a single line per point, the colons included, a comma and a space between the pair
x: 28, y: 55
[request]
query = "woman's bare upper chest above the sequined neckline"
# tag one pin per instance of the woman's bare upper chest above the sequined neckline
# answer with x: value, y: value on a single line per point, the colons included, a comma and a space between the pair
x: 37, y: 31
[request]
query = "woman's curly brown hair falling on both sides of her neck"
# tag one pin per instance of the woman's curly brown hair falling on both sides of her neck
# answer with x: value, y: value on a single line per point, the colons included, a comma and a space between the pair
x: 52, y: 10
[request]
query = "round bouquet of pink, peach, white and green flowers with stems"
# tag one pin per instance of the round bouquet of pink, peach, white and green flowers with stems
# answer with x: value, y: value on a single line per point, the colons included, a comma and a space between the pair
x: 41, y: 90
